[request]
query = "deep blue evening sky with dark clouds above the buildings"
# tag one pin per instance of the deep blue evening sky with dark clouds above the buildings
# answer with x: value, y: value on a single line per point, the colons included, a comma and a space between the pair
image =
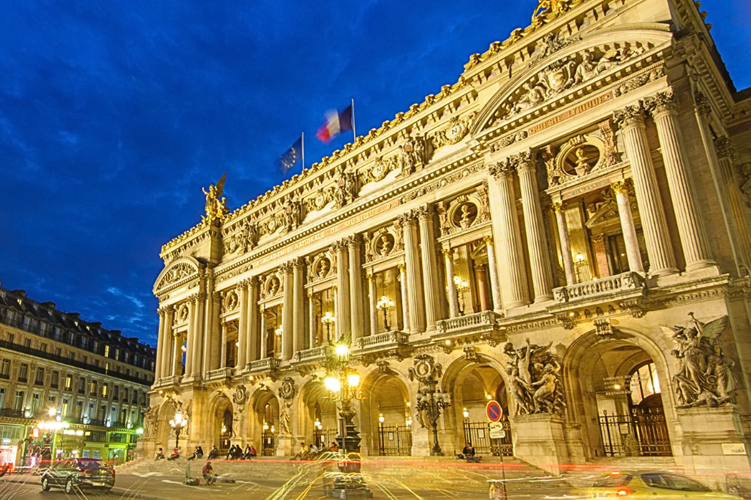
x: 113, y: 115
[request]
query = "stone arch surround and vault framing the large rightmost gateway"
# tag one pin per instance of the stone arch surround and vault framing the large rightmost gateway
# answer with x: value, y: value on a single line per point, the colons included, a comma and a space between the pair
x: 592, y: 358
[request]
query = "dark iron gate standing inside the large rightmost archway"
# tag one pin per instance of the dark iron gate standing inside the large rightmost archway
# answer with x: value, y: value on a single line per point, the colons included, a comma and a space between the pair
x: 643, y: 433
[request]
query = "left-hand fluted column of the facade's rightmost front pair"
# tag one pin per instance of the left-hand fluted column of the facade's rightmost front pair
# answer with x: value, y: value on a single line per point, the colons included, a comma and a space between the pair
x: 661, y: 258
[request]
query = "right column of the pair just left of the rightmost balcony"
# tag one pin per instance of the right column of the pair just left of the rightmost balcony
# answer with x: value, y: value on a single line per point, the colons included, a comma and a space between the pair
x: 539, y: 260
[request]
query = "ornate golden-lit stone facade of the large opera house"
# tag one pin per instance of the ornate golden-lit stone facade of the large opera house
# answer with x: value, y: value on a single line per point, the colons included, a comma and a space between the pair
x: 566, y: 195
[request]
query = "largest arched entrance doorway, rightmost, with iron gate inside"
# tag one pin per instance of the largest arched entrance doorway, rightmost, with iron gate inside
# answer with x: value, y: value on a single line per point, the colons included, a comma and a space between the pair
x: 617, y: 394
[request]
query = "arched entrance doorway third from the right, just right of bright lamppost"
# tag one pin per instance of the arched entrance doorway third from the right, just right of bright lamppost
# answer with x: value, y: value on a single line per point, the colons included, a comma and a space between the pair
x: 389, y: 417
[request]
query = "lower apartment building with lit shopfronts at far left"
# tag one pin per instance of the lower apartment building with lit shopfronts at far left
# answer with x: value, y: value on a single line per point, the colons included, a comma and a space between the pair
x: 68, y: 387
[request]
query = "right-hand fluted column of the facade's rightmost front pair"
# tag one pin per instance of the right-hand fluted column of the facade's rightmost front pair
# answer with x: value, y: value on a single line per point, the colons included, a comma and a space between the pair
x: 695, y: 249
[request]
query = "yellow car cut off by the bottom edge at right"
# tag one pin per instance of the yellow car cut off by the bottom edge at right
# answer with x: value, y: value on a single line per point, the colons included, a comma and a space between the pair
x: 653, y: 485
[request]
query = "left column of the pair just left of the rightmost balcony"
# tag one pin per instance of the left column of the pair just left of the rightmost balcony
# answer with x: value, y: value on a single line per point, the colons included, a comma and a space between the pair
x: 508, y: 224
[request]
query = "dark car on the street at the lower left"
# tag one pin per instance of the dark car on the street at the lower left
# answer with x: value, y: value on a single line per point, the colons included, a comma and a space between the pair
x: 79, y: 472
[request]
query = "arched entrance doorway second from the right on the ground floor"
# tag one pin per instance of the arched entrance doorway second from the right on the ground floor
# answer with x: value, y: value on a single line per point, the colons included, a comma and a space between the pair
x: 476, y: 386
